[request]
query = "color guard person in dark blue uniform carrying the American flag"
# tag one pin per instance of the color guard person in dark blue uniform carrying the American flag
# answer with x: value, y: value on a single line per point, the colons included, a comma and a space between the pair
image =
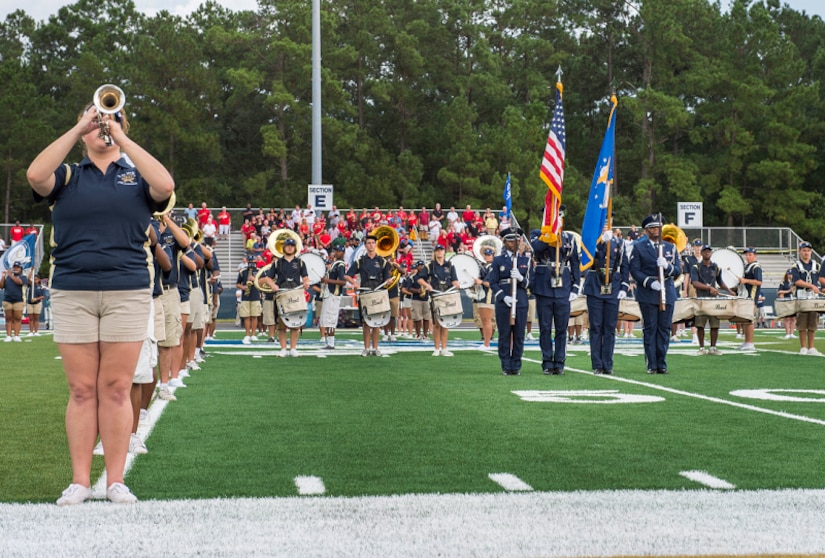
x: 556, y: 283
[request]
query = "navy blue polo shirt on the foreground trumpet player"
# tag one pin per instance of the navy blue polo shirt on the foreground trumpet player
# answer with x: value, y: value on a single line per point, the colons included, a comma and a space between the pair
x: 99, y: 230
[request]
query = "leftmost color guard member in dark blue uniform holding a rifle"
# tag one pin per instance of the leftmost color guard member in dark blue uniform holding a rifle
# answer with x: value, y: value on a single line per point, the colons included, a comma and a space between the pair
x: 500, y: 278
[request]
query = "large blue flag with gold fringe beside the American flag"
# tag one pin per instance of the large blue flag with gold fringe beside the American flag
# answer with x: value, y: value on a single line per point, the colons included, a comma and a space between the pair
x: 599, y: 200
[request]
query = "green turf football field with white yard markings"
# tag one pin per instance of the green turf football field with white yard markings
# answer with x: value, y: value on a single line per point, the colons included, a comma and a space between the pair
x: 249, y: 424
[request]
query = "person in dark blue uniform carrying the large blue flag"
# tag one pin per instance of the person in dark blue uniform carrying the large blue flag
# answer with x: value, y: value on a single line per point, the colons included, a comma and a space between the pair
x: 605, y: 284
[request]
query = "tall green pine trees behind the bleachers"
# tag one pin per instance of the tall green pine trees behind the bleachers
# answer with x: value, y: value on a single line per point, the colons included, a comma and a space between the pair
x: 430, y: 101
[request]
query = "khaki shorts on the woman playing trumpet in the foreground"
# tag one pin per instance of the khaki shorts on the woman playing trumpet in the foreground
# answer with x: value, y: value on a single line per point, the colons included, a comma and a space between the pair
x: 93, y: 316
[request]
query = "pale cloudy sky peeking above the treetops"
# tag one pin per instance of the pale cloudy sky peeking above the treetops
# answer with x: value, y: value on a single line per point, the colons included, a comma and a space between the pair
x: 42, y: 9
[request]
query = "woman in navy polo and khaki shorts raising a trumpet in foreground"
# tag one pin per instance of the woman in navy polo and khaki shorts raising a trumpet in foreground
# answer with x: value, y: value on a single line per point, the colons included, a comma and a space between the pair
x: 101, y: 283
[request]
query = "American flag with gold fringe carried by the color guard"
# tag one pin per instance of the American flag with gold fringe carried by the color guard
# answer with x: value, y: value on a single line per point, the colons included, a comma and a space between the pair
x: 552, y: 171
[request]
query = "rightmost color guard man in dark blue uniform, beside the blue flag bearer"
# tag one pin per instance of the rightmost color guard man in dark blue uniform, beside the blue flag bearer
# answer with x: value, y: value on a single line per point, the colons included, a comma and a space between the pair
x: 645, y: 265
